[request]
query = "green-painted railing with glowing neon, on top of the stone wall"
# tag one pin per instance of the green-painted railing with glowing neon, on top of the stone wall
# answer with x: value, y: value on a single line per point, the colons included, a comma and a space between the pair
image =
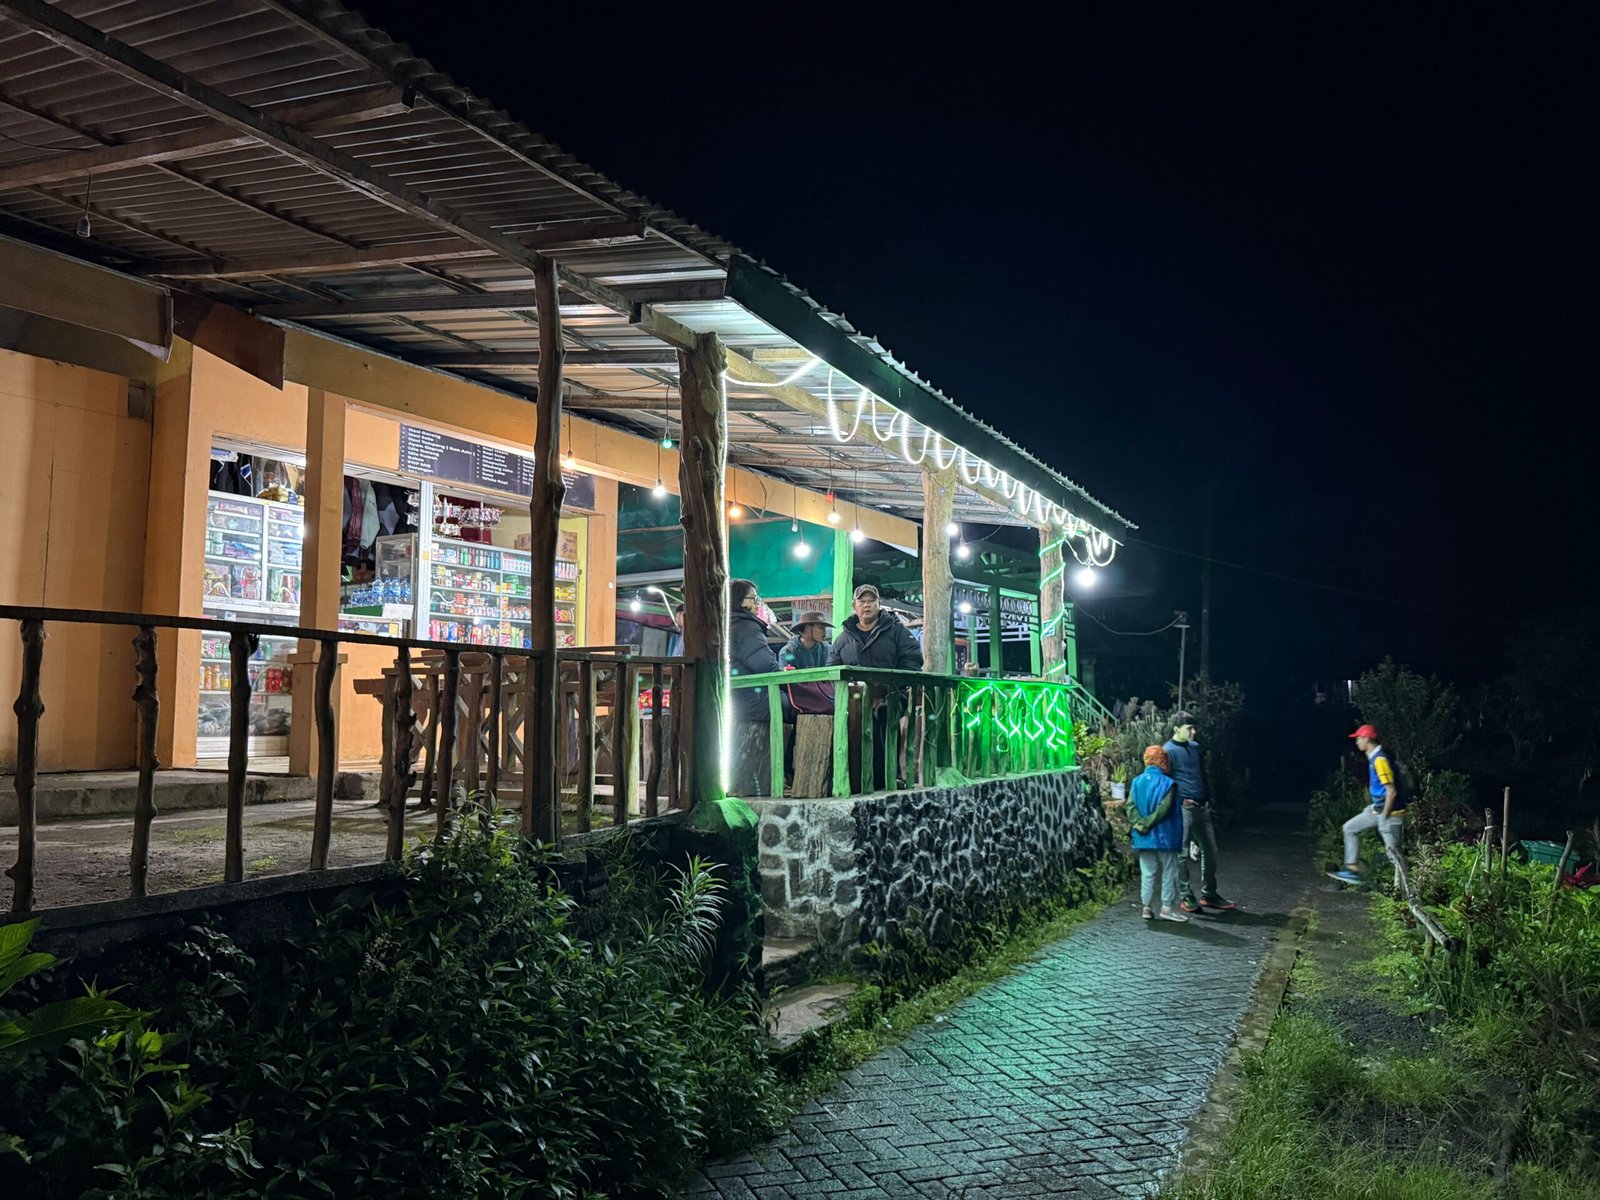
x: 935, y: 730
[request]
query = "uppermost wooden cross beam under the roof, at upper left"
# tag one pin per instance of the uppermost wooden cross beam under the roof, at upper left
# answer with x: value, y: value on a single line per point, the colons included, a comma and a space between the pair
x: 212, y: 138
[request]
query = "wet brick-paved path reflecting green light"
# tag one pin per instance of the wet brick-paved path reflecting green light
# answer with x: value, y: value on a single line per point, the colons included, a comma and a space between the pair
x: 1038, y: 1086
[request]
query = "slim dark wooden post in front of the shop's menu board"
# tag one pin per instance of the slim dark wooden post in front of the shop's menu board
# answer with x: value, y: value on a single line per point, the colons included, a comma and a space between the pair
x: 540, y: 820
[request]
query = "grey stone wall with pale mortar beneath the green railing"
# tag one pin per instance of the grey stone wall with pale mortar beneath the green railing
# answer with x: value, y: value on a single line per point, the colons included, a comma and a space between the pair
x: 876, y: 866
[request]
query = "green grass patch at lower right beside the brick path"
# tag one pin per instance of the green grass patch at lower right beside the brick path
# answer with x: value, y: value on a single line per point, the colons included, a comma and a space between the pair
x: 1319, y: 1119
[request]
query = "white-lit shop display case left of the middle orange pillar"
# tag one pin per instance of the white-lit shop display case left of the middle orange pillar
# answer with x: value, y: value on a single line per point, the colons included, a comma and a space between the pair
x: 252, y: 574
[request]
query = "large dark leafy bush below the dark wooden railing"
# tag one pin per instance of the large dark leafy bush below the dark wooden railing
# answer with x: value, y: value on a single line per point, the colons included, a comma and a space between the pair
x: 454, y: 1039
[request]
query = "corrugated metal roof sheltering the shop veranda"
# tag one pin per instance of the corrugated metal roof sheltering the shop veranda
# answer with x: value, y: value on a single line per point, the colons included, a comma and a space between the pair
x: 260, y: 225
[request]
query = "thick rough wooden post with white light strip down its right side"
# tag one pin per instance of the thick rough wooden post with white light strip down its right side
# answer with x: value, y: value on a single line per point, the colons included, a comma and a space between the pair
x: 702, y: 468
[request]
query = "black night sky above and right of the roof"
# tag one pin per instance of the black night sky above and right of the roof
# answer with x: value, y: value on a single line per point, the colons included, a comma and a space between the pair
x: 1338, y: 266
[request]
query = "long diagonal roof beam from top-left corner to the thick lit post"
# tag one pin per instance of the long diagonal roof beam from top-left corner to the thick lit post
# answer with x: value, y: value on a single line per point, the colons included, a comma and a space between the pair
x: 162, y: 78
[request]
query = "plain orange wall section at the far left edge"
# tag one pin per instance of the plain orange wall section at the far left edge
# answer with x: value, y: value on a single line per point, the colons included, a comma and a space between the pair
x: 74, y: 476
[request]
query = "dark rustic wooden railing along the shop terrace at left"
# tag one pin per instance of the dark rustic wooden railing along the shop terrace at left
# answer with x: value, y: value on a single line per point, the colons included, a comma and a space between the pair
x: 460, y: 711
